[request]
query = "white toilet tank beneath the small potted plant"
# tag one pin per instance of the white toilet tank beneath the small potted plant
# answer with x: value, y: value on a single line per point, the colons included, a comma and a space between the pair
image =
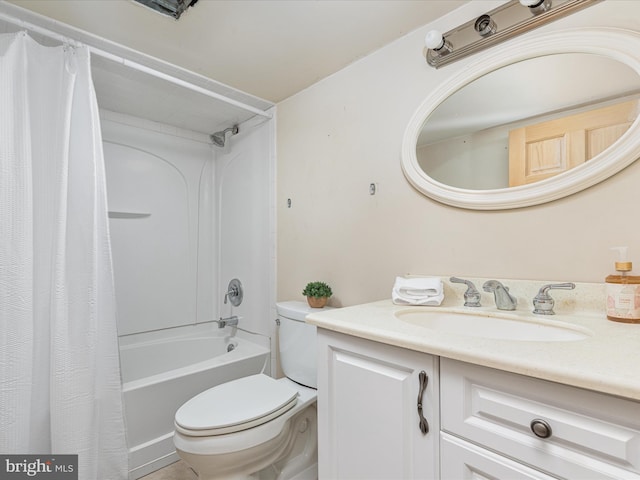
x: 297, y: 342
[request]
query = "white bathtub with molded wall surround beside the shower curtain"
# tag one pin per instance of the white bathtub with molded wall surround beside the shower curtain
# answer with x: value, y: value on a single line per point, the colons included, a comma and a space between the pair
x: 172, y: 267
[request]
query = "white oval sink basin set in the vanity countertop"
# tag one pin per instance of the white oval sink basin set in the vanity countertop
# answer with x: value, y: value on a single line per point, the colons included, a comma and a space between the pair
x: 494, y: 327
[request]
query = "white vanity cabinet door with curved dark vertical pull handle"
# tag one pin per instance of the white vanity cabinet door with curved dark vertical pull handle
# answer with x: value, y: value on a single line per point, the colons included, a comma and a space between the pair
x: 368, y: 419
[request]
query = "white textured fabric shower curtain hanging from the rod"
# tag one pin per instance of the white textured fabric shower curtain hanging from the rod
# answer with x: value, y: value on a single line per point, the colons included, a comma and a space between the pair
x: 60, y: 390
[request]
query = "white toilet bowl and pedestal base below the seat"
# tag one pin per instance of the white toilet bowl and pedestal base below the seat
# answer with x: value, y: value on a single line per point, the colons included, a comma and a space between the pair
x: 292, y: 455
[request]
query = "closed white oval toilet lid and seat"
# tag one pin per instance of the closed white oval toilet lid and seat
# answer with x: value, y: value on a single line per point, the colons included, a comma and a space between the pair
x: 234, y: 406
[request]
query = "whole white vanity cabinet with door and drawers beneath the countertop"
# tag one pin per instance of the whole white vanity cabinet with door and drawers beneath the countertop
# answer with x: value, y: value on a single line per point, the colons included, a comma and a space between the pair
x: 483, y: 423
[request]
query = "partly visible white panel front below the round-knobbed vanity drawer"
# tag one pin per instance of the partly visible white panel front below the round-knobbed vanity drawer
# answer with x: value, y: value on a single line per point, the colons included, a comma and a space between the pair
x: 461, y: 460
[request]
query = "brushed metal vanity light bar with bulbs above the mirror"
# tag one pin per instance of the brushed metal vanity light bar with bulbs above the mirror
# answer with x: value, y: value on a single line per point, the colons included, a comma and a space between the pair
x: 500, y: 24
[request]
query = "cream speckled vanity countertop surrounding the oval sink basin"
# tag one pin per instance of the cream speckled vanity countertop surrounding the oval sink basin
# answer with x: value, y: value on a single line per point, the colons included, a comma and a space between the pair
x: 606, y: 361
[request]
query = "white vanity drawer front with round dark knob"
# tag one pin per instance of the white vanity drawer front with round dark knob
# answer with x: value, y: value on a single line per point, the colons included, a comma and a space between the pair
x: 590, y: 435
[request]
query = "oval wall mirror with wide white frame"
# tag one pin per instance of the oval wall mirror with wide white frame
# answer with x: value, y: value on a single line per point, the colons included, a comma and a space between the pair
x: 535, y: 121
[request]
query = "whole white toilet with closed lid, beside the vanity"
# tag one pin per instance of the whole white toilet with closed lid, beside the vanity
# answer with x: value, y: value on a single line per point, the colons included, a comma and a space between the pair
x: 258, y: 427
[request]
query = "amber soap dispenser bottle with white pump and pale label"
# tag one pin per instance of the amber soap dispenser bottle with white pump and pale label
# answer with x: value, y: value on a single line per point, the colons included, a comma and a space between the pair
x: 623, y: 291
